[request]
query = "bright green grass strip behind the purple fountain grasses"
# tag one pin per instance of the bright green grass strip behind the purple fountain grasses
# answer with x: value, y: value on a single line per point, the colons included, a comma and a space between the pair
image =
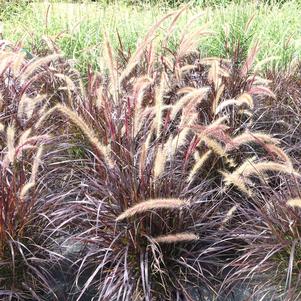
x: 78, y: 28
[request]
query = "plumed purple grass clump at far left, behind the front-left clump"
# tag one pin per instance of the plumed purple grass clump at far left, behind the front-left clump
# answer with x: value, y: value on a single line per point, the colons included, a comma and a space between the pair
x: 29, y: 87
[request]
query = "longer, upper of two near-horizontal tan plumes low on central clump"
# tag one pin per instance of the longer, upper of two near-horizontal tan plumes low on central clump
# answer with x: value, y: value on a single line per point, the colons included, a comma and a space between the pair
x: 152, y: 204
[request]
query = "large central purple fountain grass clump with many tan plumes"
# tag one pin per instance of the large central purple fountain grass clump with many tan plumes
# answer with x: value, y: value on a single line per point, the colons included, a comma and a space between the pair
x: 168, y: 154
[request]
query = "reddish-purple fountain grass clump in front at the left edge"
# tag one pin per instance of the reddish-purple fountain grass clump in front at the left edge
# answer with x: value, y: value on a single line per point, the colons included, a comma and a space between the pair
x: 24, y: 256
